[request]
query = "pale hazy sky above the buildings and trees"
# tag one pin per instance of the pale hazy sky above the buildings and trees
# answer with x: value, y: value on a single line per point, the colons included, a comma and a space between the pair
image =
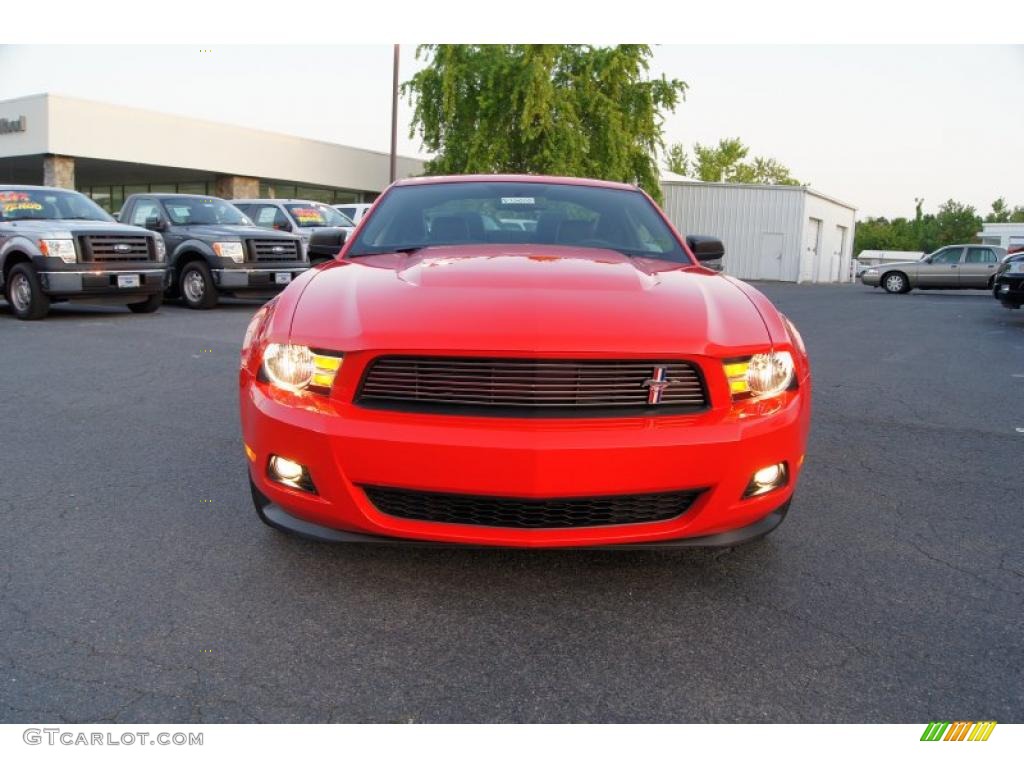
x: 875, y: 126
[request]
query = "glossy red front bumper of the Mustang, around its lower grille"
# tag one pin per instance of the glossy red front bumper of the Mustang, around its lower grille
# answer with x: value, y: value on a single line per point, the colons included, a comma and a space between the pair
x: 347, y: 448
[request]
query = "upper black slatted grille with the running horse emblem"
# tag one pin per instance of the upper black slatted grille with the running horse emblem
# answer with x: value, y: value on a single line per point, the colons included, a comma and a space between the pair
x: 531, y: 388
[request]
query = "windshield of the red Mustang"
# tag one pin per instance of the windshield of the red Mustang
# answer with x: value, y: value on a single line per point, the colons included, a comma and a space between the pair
x: 514, y: 214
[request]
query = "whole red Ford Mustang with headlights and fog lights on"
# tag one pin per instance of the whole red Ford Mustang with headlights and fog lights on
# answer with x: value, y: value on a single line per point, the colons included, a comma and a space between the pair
x: 524, y: 362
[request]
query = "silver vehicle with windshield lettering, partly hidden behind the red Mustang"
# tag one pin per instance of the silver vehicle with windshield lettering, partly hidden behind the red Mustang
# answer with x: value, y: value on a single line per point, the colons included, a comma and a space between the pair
x: 322, y: 229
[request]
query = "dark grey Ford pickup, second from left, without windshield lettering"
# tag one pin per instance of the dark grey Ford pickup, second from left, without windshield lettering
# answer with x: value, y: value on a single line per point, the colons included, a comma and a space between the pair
x: 215, y: 249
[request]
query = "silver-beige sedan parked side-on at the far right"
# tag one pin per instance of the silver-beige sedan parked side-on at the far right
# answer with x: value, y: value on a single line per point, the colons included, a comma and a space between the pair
x: 950, y: 268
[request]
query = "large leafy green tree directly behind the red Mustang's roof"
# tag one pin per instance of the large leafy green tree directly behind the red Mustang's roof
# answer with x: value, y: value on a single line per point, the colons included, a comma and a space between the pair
x: 568, y: 110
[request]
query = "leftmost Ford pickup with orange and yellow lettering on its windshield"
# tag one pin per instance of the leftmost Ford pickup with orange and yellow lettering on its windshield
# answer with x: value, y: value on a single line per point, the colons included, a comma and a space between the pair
x: 58, y: 245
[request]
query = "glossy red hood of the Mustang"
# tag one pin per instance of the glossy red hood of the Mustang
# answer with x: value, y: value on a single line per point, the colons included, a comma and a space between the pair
x: 539, y: 298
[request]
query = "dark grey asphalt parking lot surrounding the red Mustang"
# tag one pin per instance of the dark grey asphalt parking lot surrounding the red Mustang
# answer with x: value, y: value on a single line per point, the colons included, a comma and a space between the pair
x: 137, y: 584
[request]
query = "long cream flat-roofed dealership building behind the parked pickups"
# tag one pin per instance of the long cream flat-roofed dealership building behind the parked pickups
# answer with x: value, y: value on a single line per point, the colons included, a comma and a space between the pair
x: 111, y: 152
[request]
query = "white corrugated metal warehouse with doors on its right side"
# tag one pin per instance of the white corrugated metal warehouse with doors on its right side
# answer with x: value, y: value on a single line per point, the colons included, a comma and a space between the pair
x: 771, y: 232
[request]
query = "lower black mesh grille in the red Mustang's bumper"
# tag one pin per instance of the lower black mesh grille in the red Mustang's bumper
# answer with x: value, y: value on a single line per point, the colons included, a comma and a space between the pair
x: 576, y: 513
